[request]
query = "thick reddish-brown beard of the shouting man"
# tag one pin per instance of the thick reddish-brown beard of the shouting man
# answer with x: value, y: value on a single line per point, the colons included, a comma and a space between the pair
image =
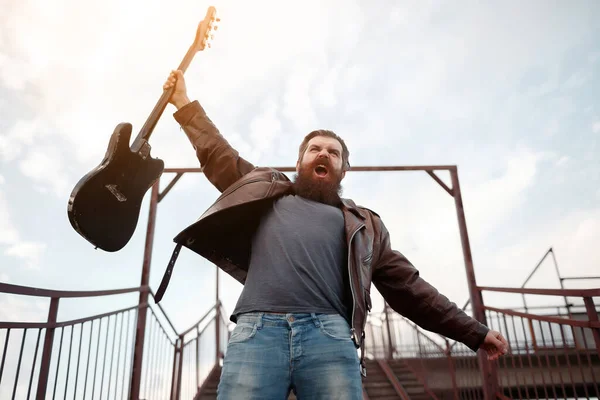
x: 327, y: 191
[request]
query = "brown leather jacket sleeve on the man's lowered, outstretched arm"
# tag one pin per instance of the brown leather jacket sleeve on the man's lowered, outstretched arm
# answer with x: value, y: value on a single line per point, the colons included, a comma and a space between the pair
x: 407, y: 293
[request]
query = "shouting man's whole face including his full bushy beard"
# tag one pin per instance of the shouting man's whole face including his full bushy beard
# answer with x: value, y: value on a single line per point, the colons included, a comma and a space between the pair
x: 320, y: 171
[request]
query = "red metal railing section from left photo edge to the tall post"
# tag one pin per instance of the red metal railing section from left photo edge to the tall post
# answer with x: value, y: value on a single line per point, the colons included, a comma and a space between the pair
x: 87, y: 356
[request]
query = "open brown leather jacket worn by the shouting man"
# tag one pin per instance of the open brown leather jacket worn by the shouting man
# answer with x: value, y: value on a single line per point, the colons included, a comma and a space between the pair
x: 223, y: 235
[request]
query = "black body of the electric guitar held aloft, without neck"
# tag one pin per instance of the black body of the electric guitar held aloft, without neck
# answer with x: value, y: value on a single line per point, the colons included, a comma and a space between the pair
x: 105, y: 204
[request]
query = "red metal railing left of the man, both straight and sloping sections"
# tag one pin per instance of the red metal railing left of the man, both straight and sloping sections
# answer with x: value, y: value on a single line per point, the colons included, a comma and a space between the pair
x: 92, y: 357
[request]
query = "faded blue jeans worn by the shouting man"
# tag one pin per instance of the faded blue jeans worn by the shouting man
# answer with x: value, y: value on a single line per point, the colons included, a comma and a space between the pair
x: 270, y: 354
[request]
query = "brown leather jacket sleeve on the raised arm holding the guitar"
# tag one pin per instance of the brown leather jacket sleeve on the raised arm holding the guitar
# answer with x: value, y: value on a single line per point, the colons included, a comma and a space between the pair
x: 220, y: 162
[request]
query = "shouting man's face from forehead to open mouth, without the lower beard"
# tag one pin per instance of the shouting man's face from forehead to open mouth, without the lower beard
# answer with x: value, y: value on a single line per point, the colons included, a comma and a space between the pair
x: 323, y: 157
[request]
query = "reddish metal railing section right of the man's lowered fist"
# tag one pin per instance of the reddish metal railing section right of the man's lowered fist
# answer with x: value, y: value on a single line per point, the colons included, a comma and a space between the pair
x: 556, y: 356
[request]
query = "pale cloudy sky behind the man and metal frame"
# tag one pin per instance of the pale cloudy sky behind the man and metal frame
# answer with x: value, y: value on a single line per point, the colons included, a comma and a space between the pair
x: 508, y: 91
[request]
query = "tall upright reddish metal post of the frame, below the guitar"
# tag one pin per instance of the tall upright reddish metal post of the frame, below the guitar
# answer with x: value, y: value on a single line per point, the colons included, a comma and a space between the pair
x: 140, y: 332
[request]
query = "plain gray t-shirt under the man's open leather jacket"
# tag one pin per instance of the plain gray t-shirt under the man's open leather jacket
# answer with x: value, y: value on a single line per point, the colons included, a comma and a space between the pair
x: 297, y: 261
